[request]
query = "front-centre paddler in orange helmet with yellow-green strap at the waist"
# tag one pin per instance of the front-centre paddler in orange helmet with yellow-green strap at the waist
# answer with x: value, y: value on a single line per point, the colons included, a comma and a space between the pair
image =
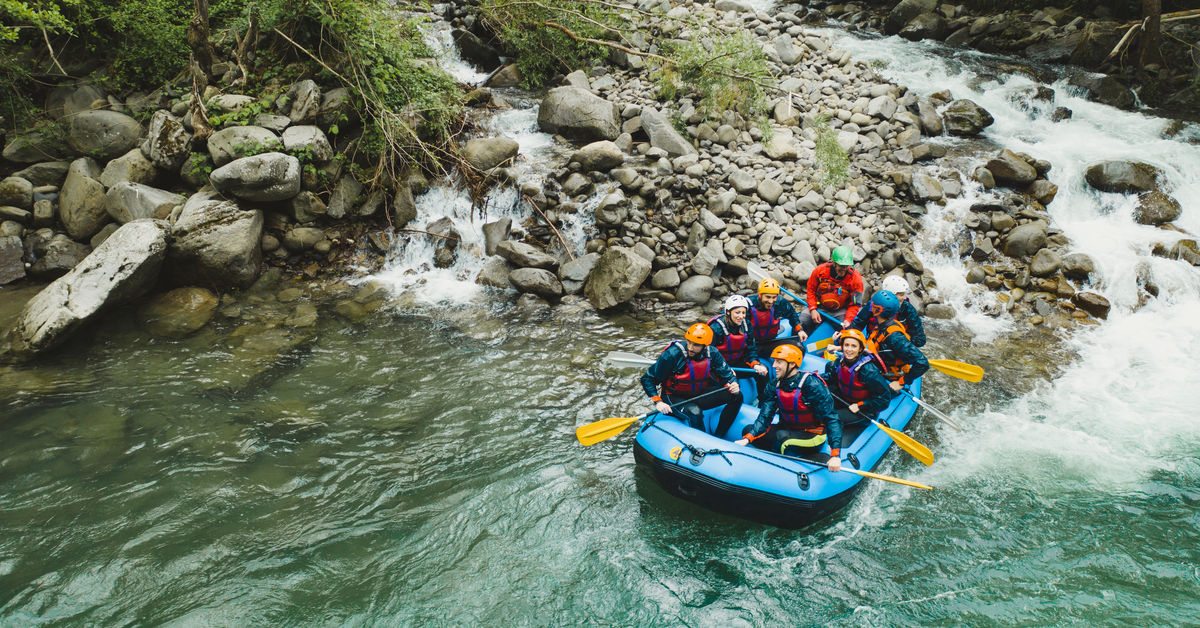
x: 807, y: 417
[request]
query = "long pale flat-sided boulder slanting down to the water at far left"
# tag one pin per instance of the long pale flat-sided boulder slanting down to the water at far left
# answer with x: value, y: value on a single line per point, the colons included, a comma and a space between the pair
x: 122, y: 268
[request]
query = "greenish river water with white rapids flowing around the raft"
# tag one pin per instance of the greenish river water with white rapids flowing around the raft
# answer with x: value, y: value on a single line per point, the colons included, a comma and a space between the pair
x: 421, y: 469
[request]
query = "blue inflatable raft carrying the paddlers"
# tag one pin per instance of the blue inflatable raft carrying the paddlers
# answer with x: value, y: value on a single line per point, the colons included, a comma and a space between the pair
x: 749, y: 483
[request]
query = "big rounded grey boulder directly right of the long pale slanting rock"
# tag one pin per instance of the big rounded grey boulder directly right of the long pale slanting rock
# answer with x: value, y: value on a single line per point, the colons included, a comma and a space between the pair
x: 215, y: 243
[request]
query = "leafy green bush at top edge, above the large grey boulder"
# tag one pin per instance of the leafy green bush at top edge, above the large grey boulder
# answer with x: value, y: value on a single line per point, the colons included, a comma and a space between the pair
x: 551, y: 37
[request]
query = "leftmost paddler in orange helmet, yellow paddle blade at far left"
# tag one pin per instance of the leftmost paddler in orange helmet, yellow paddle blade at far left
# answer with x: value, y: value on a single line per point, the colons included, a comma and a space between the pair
x: 687, y: 370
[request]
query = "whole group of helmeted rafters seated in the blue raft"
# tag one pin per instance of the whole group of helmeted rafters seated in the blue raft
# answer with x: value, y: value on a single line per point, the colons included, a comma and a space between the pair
x: 880, y: 355
